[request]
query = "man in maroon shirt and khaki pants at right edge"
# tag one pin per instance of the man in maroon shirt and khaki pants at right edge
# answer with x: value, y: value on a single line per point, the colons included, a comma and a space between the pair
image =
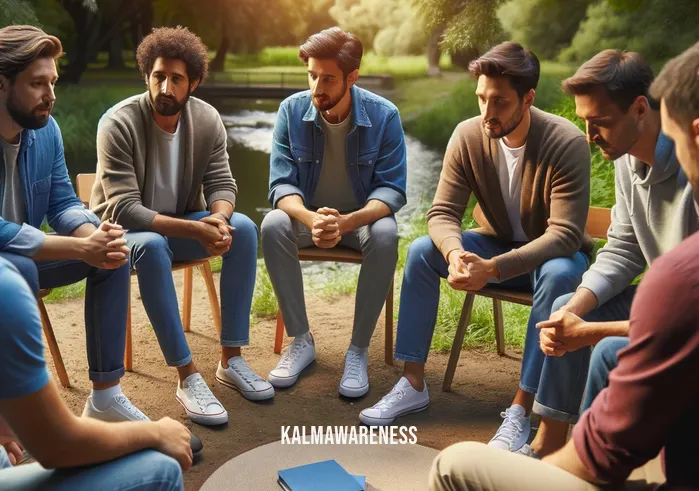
x: 652, y: 400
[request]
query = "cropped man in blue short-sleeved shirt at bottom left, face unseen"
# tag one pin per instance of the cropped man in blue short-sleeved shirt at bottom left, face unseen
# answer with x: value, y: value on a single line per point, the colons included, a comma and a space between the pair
x: 72, y: 453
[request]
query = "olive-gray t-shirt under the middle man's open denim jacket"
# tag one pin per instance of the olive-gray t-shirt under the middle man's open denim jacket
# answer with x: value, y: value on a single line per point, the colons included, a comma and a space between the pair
x: 334, y: 187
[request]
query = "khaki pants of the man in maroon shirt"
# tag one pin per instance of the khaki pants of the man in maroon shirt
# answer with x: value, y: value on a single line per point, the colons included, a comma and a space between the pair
x: 476, y: 467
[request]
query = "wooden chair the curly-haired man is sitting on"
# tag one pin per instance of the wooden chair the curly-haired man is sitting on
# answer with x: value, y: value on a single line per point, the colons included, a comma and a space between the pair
x: 84, y: 183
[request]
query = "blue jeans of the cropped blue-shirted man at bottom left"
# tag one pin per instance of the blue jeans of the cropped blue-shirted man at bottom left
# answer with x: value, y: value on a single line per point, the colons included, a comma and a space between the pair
x: 147, y: 470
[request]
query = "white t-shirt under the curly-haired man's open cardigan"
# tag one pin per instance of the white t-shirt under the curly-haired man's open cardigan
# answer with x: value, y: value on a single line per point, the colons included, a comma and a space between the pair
x: 166, y: 159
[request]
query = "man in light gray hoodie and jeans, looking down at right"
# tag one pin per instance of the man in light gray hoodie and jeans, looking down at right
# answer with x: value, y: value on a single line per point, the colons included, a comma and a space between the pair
x: 654, y: 212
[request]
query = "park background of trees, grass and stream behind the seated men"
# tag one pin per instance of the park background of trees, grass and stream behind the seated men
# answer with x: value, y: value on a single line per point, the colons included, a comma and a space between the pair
x: 424, y: 46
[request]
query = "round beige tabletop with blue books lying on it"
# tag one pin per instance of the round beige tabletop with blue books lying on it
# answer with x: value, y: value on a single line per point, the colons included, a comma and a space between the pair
x: 386, y: 467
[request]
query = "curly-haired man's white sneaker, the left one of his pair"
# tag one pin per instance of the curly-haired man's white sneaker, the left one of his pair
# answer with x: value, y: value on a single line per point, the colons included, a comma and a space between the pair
x: 199, y: 402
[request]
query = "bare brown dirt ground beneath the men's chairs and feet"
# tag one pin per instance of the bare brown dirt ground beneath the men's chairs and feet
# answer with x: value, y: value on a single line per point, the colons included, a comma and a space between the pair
x: 483, y: 385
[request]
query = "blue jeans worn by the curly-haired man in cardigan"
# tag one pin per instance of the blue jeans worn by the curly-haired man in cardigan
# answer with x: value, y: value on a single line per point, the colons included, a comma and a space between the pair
x: 152, y: 255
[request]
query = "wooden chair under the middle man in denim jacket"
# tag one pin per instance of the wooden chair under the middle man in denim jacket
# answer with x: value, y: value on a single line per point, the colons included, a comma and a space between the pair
x: 341, y: 254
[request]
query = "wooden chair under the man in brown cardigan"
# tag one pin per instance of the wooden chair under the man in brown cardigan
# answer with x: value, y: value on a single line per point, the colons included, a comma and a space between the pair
x: 598, y: 222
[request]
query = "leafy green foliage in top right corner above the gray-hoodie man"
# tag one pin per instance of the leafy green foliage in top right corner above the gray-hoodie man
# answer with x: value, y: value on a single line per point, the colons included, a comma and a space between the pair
x: 653, y: 28
